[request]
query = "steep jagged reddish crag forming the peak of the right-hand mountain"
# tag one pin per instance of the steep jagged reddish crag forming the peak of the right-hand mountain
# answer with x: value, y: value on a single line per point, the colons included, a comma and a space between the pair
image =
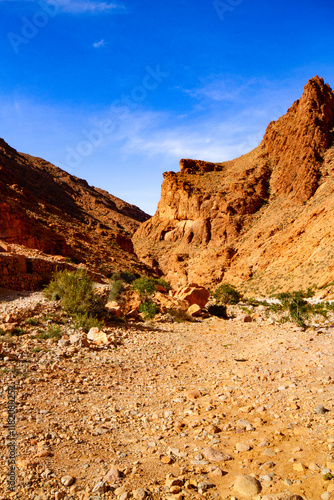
x: 297, y: 141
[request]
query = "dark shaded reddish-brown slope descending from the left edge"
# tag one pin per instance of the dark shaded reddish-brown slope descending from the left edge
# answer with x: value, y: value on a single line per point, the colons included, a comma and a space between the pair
x: 44, y: 207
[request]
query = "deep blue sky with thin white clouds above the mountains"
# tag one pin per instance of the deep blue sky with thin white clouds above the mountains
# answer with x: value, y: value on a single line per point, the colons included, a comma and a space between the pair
x: 118, y: 92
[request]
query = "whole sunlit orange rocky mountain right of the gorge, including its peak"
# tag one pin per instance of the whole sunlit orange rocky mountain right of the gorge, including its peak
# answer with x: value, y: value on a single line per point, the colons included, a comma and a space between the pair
x: 258, y: 220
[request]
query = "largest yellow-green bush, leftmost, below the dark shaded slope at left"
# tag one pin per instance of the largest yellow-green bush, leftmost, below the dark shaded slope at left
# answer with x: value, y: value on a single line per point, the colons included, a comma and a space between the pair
x: 75, y: 289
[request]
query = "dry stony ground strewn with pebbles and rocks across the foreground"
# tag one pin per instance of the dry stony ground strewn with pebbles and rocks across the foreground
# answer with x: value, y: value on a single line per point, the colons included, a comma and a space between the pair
x: 154, y: 405
